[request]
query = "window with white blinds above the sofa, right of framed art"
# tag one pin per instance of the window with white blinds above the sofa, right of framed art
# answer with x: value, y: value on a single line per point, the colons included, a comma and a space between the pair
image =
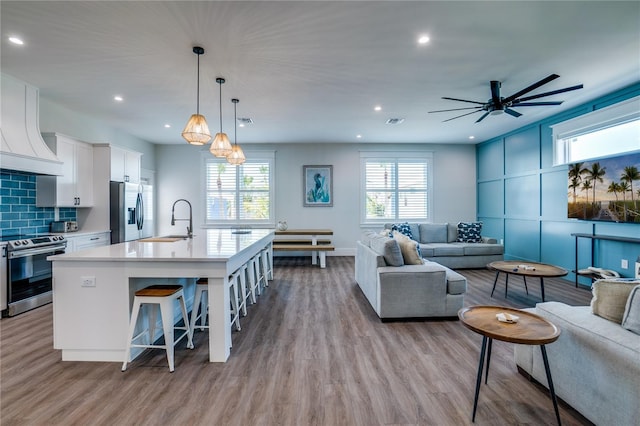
x: 396, y: 188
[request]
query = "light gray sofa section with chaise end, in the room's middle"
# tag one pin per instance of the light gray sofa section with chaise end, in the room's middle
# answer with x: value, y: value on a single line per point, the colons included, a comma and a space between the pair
x: 405, y: 291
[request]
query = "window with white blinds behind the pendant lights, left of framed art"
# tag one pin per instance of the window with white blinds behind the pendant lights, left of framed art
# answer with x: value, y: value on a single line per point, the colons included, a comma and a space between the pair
x: 239, y: 195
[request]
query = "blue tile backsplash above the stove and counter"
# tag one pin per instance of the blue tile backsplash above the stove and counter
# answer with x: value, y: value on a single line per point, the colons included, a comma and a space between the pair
x: 18, y: 211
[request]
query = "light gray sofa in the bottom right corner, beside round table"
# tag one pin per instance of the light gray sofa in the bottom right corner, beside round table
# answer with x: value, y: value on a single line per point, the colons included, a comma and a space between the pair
x: 595, y: 364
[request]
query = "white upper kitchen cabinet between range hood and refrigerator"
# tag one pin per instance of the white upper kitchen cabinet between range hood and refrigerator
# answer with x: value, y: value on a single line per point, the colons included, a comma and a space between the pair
x: 75, y: 187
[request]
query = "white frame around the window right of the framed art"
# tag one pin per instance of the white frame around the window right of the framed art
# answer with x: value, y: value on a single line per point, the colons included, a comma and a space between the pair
x: 426, y: 157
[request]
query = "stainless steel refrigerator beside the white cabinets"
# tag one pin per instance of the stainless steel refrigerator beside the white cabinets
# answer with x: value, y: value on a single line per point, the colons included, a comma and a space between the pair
x: 131, y: 212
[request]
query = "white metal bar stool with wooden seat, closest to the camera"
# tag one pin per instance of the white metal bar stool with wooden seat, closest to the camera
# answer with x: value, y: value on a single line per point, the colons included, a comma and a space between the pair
x: 163, y: 296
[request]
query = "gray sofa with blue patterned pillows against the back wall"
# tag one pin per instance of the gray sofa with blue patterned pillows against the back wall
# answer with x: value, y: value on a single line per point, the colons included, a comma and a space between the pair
x: 438, y: 243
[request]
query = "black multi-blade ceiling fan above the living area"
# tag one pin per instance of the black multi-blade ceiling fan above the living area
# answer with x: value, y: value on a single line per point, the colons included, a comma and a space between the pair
x: 497, y: 104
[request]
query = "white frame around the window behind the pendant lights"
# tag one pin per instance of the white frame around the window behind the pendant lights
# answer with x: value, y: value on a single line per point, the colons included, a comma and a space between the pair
x: 252, y: 157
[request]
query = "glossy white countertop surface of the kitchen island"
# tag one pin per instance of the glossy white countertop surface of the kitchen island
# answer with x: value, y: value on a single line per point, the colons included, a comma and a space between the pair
x: 205, y: 246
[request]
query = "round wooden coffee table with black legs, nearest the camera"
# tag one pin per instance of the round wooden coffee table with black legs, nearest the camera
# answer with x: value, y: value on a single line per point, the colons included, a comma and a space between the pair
x: 530, y: 329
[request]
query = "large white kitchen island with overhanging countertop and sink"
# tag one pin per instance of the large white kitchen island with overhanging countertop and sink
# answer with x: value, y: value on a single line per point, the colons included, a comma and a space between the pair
x: 93, y: 289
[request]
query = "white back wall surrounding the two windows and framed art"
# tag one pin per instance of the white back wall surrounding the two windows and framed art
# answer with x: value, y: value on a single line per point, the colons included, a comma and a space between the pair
x: 179, y: 175
